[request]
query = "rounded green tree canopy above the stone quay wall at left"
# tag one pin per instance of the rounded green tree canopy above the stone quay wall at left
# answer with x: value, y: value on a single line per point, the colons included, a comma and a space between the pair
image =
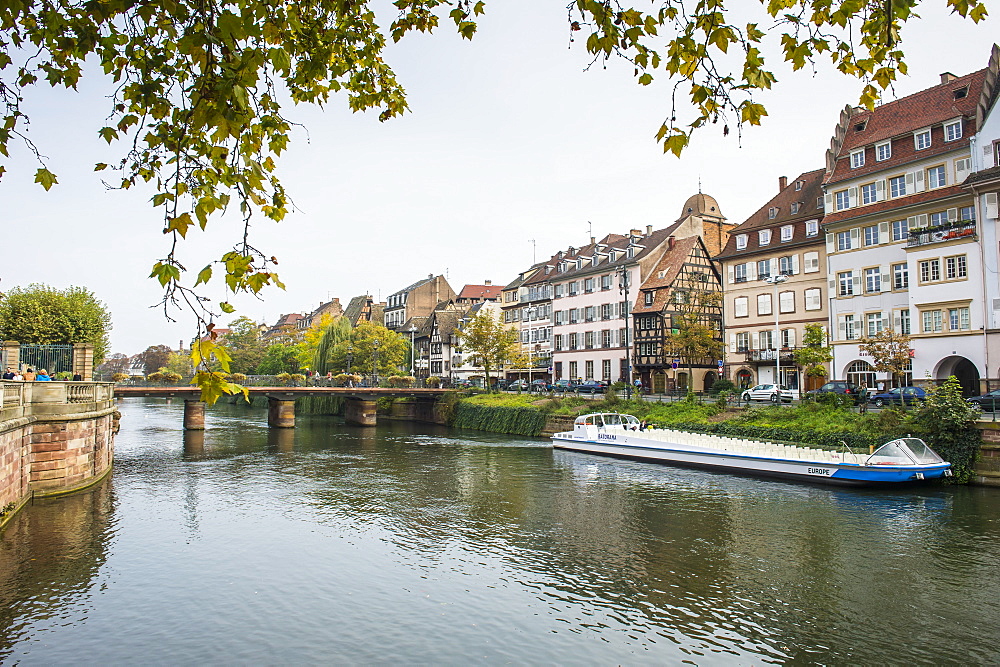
x: 48, y: 316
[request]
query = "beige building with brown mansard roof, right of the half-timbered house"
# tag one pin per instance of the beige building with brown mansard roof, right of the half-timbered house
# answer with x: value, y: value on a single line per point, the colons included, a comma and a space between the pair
x: 774, y: 272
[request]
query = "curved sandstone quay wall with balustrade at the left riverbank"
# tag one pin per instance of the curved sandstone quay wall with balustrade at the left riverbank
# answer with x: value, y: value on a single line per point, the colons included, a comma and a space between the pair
x: 55, y: 438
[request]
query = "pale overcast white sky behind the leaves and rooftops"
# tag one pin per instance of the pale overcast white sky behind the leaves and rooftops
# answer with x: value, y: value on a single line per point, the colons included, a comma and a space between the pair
x: 509, y: 140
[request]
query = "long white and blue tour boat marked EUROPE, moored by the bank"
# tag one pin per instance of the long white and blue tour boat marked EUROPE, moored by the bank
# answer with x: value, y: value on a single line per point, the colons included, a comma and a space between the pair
x: 612, y: 434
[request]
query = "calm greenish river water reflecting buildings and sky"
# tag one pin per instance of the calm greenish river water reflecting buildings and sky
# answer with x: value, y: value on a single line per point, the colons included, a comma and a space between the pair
x: 413, y: 543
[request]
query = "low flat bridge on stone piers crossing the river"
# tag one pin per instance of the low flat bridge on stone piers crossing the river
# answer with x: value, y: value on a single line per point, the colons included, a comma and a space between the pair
x: 359, y: 407
